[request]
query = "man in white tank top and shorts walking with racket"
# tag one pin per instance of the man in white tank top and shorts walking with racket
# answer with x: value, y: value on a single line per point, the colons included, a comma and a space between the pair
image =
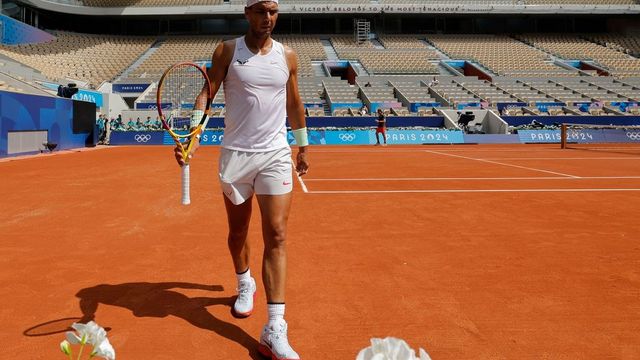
x: 261, y: 90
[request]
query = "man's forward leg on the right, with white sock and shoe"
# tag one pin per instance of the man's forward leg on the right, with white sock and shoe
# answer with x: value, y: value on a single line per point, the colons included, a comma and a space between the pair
x: 275, y: 214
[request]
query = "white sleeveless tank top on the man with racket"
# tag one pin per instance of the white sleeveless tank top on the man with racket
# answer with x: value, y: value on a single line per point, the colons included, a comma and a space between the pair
x: 256, y: 96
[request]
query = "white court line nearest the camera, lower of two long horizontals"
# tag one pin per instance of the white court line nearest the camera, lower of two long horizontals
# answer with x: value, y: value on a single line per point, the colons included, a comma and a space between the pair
x: 466, y: 191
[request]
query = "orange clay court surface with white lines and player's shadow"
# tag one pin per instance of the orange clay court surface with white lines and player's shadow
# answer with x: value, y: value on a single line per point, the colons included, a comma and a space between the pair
x: 470, y: 252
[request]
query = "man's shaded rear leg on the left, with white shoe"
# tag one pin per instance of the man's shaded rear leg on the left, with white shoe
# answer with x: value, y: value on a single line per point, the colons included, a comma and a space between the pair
x: 238, y: 217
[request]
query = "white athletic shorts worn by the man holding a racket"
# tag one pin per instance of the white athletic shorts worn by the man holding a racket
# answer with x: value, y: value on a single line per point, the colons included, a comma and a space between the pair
x: 266, y: 173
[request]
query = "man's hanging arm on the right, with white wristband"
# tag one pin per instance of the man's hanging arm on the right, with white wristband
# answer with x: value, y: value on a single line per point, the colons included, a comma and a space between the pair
x: 295, y: 110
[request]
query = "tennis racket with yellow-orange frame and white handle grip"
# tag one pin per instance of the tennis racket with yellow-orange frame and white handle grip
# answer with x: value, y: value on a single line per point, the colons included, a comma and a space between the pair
x: 183, y: 98
